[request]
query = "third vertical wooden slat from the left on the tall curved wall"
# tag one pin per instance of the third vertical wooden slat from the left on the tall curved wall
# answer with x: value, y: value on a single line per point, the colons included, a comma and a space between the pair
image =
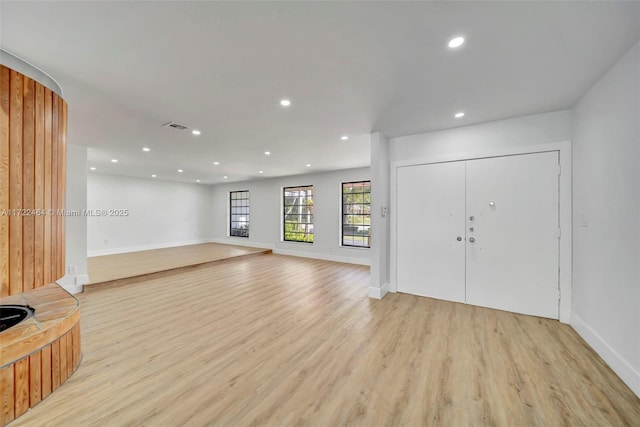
x: 28, y: 184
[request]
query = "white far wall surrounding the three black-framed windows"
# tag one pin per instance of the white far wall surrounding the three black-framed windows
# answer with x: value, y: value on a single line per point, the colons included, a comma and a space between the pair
x: 266, y: 215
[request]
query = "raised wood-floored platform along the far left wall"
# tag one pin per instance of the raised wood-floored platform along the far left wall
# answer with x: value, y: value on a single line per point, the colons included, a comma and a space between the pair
x: 107, y: 269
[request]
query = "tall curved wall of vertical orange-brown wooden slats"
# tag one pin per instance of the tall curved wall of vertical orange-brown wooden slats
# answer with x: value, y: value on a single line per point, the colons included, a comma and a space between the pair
x: 33, y: 126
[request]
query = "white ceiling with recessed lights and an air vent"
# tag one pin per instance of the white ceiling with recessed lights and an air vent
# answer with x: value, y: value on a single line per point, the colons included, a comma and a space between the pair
x: 349, y: 68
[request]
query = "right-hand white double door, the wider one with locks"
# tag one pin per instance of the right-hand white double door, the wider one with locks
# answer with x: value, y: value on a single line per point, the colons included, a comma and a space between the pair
x: 512, y: 262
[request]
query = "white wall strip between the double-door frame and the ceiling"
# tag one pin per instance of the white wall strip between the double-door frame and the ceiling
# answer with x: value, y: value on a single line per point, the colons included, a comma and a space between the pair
x: 522, y: 131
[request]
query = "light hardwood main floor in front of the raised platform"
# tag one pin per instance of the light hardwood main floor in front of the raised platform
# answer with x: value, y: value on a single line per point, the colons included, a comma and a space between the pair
x: 273, y: 340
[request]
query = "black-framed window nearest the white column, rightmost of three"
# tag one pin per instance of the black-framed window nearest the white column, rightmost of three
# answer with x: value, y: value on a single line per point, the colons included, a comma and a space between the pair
x: 356, y: 213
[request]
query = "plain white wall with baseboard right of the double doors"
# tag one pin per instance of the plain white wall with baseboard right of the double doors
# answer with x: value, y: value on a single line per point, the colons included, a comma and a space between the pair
x: 606, y: 158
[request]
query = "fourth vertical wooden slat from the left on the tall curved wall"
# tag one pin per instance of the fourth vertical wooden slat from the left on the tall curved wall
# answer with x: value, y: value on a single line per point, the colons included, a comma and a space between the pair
x: 39, y: 188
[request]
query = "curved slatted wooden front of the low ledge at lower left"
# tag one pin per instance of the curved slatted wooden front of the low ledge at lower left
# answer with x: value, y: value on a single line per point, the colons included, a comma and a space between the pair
x: 26, y: 382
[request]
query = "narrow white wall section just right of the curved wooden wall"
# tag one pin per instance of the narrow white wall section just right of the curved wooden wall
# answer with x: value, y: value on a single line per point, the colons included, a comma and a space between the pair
x: 75, y: 226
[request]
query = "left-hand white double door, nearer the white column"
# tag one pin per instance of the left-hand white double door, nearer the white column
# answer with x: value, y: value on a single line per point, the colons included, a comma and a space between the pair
x: 430, y: 219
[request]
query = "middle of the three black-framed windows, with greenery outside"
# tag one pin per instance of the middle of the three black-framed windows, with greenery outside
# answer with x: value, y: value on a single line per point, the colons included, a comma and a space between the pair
x: 298, y: 214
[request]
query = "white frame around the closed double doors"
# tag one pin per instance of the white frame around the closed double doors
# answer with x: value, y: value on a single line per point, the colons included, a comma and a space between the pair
x: 565, y: 208
